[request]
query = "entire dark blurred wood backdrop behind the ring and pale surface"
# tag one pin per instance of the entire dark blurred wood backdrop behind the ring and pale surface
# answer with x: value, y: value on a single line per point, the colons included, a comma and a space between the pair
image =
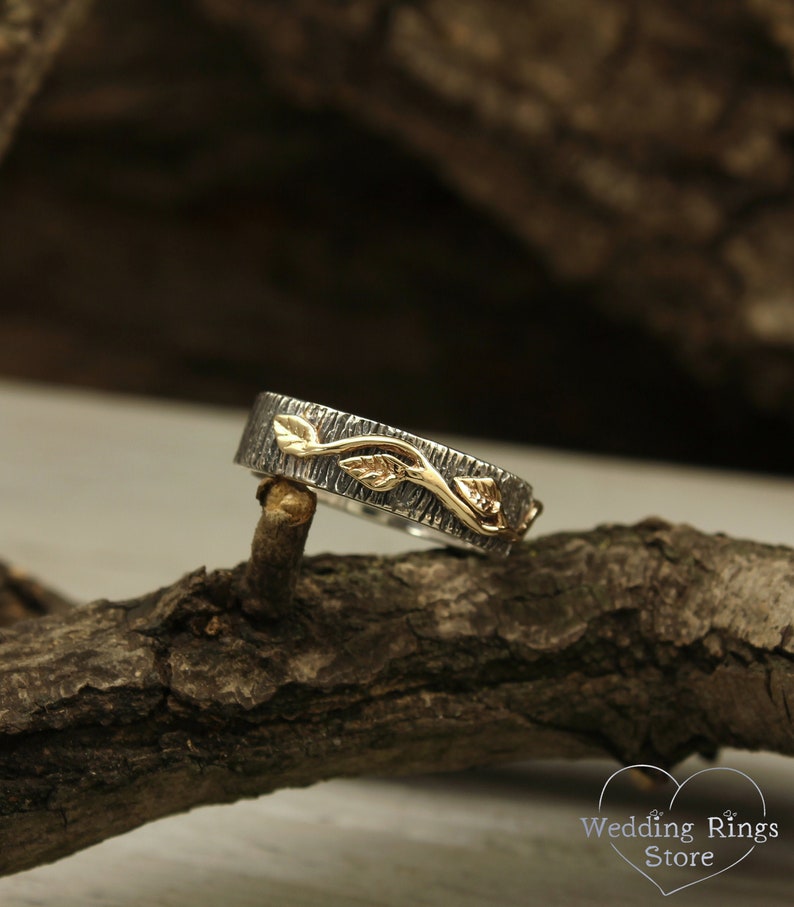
x: 567, y: 223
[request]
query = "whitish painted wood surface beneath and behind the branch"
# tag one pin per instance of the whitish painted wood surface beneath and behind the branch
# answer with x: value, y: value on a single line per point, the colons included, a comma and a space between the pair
x: 110, y: 496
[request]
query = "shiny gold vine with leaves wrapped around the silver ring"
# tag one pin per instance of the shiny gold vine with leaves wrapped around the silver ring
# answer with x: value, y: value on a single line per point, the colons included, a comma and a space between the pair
x: 474, y: 500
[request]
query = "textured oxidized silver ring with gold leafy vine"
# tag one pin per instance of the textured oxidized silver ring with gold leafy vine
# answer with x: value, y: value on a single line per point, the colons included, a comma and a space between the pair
x: 397, y: 478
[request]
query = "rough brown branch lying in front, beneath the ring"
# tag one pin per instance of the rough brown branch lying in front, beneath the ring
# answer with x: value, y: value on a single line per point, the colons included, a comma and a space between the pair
x: 645, y: 643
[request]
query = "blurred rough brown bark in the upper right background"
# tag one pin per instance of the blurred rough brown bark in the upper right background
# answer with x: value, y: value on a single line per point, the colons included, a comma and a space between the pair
x: 643, y: 147
